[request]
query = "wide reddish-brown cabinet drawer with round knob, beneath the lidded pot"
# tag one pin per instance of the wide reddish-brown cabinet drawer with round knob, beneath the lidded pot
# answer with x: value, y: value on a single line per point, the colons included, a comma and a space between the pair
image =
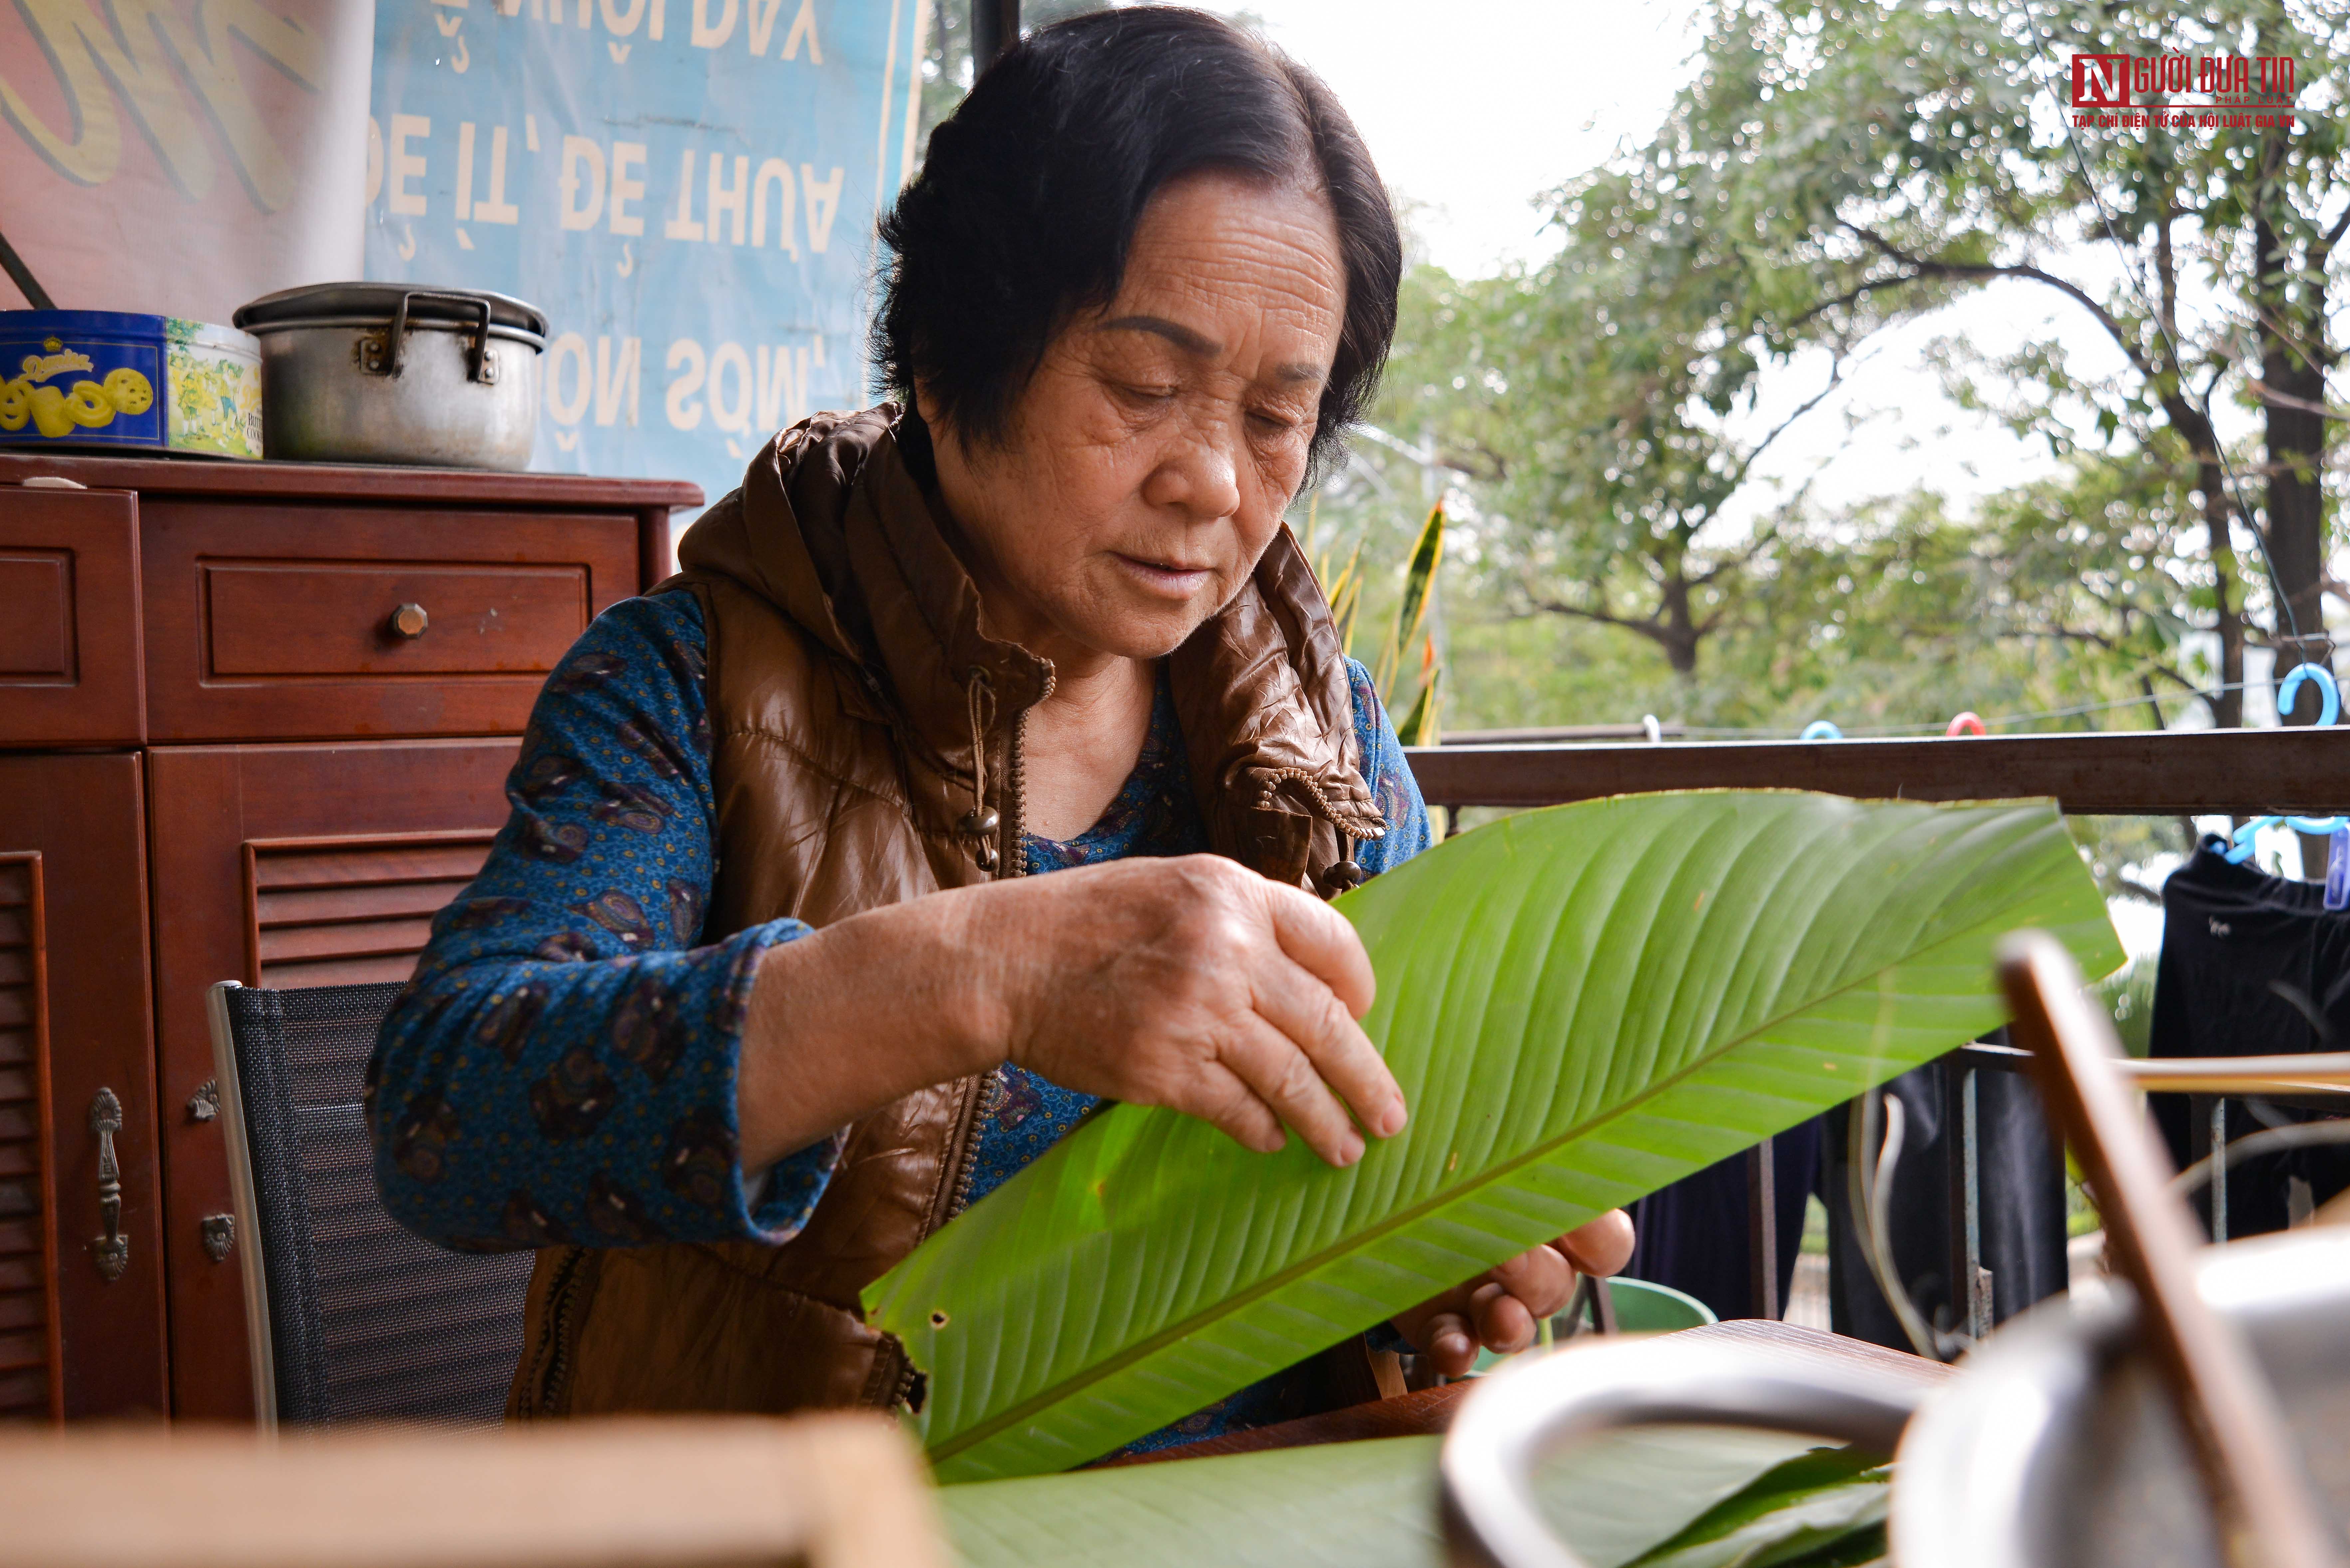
x: 302, y: 622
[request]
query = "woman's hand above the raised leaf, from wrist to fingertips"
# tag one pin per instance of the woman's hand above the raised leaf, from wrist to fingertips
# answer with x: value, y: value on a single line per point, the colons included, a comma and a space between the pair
x: 1200, y: 986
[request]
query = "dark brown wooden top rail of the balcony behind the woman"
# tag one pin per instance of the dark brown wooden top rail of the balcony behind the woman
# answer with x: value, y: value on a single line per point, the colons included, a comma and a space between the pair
x: 2097, y: 775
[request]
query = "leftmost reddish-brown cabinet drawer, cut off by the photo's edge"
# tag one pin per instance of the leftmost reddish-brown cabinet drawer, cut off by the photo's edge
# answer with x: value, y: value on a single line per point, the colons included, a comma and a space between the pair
x: 69, y: 617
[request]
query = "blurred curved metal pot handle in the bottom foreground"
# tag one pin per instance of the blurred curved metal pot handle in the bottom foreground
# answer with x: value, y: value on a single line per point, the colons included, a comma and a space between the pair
x: 1550, y: 1402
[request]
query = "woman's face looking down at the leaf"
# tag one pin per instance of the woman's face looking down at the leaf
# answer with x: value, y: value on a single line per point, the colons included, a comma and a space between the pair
x: 1153, y: 455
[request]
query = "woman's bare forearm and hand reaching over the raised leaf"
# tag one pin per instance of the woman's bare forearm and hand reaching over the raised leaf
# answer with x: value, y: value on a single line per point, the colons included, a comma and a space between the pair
x: 1190, y: 984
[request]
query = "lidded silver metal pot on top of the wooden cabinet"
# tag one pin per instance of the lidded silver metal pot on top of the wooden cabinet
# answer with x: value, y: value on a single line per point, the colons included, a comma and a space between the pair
x: 380, y: 373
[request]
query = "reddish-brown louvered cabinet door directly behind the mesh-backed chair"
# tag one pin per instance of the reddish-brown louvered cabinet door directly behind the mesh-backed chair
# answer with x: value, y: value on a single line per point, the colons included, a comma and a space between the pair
x: 286, y: 866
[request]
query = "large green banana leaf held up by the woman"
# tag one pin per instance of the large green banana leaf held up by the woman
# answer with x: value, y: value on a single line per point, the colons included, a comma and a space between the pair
x: 1580, y: 1005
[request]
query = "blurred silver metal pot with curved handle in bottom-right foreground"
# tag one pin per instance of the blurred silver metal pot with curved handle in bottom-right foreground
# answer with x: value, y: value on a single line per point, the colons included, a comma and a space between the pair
x: 2053, y: 1449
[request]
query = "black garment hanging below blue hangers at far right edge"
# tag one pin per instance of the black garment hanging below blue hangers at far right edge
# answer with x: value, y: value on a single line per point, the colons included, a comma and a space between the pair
x: 2252, y: 965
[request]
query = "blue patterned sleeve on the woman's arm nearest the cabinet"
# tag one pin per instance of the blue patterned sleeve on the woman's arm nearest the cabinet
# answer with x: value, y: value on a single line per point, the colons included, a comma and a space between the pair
x: 563, y: 1066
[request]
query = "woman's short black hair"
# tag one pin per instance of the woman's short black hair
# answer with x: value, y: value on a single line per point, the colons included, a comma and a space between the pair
x: 1030, y: 196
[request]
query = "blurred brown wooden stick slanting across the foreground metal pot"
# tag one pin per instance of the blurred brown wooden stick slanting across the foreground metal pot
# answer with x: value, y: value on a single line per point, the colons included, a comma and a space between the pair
x: 2260, y: 1489
